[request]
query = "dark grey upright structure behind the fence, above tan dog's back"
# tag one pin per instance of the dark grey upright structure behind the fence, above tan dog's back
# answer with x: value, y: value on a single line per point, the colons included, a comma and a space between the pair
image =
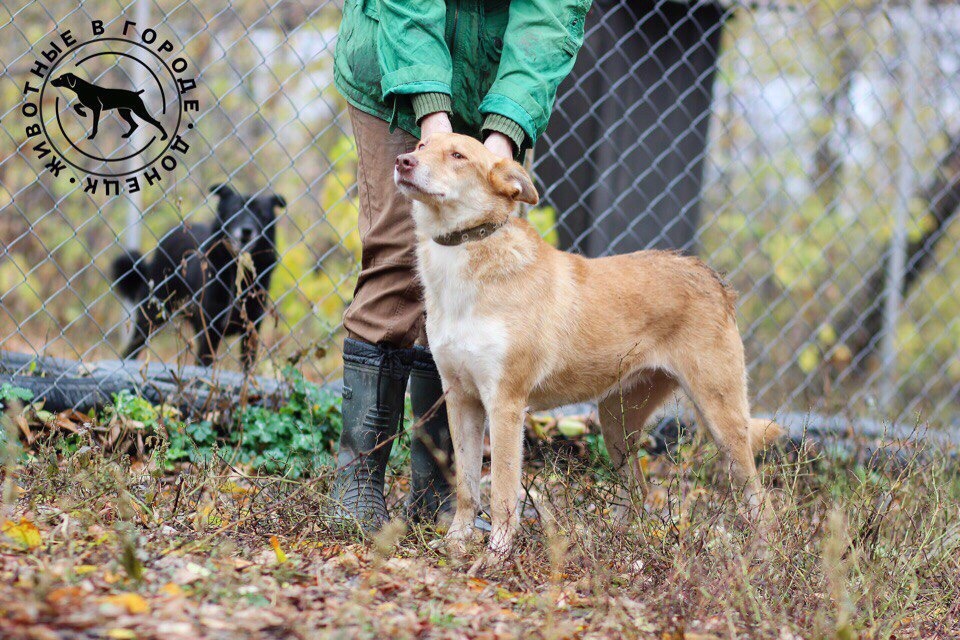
x: 622, y: 160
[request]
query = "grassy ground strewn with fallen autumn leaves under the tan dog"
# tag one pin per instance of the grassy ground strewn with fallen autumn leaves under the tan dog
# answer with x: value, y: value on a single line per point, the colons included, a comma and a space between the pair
x: 101, y: 542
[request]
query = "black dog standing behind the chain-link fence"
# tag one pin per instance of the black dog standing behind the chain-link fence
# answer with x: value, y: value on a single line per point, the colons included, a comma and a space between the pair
x: 202, y: 269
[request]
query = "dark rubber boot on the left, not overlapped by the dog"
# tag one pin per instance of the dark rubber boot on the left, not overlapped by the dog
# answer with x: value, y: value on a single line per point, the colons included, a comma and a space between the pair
x: 374, y: 384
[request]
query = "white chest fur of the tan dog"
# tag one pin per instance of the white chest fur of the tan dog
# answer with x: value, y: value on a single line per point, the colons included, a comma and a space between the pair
x: 468, y: 346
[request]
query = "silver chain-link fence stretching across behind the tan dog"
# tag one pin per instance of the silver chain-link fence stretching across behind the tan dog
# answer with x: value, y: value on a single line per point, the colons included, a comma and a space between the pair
x: 806, y: 150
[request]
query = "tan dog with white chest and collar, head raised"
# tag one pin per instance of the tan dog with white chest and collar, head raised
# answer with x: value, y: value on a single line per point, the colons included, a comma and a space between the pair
x: 513, y: 322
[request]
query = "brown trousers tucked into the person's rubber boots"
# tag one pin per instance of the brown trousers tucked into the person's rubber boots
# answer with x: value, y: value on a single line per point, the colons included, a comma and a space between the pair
x: 387, y: 305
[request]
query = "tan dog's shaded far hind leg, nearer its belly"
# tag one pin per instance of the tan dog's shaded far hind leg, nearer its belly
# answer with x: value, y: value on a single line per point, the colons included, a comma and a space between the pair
x: 623, y: 415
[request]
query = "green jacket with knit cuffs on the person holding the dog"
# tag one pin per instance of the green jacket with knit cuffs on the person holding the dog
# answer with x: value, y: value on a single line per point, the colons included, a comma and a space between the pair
x: 493, y: 64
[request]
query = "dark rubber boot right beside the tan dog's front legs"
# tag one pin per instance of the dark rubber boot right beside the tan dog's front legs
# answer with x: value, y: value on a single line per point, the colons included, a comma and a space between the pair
x: 431, y: 450
